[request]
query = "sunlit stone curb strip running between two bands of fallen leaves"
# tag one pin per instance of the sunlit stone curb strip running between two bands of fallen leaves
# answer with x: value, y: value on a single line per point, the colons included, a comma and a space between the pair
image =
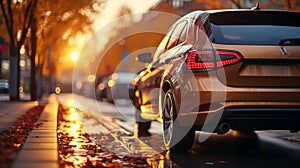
x: 40, y: 148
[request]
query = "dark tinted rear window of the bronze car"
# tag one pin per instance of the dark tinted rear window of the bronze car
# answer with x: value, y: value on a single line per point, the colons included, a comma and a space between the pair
x: 259, y: 28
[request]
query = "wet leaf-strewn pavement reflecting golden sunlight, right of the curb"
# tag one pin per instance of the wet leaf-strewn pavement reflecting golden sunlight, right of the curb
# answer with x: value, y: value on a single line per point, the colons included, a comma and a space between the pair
x: 102, y: 148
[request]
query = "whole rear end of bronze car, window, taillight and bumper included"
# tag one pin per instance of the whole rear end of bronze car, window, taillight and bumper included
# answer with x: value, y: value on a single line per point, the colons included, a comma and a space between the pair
x: 256, y: 67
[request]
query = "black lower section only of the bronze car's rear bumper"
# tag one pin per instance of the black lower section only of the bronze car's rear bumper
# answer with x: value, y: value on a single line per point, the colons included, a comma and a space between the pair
x: 263, y: 118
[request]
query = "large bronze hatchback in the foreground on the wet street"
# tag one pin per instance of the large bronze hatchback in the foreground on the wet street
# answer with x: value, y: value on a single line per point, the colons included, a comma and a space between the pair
x: 238, y: 69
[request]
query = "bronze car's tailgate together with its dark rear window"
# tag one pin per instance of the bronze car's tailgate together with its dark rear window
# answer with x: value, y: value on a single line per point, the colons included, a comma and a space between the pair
x: 269, y: 43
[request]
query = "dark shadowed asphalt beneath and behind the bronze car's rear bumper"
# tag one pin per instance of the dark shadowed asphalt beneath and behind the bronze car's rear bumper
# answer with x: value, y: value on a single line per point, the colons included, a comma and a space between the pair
x: 237, y: 150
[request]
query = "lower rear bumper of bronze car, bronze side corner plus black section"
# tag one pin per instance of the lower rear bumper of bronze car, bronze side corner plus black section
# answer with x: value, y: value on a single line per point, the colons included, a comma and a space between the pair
x: 260, y: 116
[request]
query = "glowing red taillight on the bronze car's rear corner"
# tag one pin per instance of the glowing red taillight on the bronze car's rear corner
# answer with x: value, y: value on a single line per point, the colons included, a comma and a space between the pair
x: 206, y: 60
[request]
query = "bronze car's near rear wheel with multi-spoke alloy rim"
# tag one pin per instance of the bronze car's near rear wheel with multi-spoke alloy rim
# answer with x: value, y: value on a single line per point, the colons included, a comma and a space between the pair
x: 176, y: 138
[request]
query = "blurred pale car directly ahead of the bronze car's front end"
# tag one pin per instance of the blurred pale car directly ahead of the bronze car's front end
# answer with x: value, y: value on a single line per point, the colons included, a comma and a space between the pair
x: 118, y: 86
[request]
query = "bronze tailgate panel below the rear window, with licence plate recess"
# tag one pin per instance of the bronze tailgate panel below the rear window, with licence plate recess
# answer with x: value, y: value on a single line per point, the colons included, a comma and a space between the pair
x: 263, y: 66
